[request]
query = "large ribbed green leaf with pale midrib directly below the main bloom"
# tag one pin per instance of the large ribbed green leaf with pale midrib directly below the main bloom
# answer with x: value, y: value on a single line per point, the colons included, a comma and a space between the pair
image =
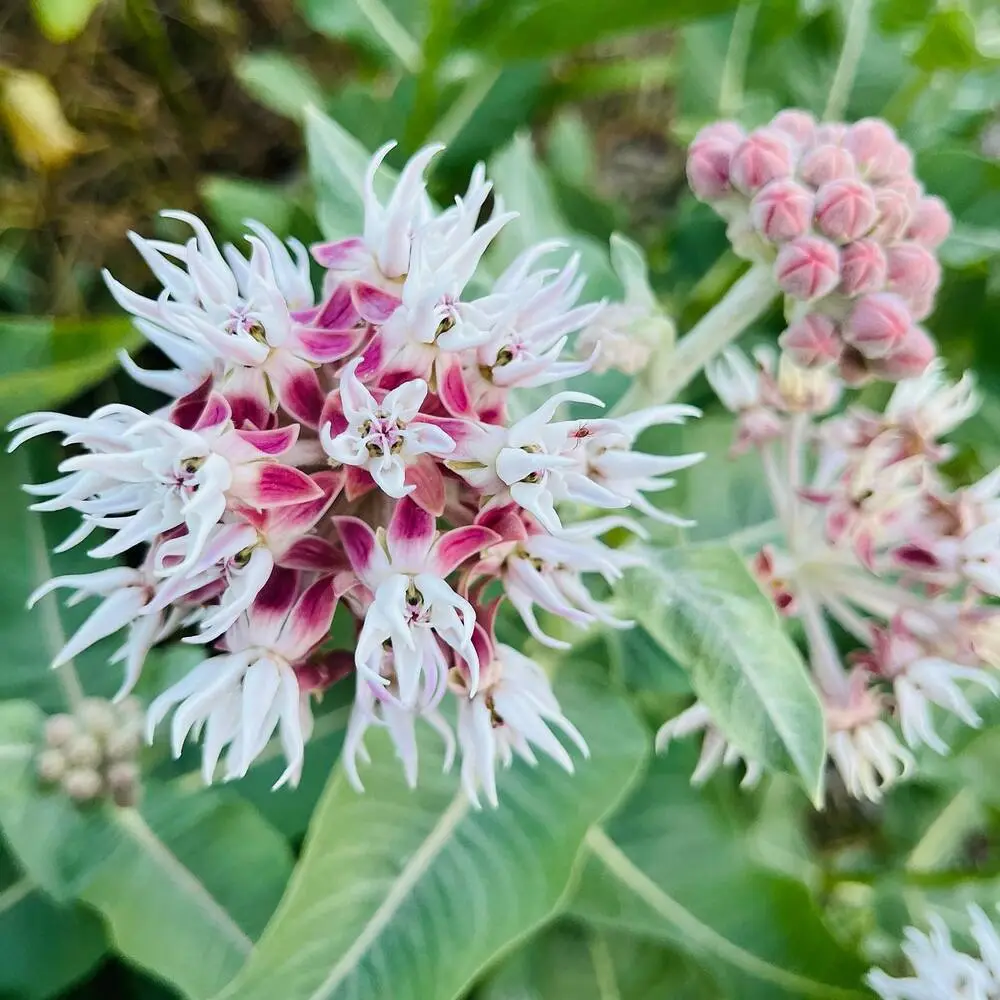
x: 409, y: 894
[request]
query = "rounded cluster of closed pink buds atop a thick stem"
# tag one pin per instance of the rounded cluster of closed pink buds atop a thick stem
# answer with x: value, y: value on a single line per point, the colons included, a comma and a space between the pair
x: 849, y: 230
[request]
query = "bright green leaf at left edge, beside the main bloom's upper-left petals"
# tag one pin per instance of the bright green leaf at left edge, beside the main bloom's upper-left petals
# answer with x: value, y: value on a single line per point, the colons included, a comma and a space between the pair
x: 45, y: 362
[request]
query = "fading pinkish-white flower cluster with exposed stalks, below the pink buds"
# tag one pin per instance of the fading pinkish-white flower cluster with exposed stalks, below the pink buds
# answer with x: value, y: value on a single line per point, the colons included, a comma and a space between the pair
x: 877, y: 548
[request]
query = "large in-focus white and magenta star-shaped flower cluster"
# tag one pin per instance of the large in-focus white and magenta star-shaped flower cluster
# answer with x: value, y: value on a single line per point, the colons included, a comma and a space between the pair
x: 307, y: 451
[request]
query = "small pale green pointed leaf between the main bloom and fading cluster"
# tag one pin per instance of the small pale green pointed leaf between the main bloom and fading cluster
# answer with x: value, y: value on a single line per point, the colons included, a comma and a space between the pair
x: 703, y: 606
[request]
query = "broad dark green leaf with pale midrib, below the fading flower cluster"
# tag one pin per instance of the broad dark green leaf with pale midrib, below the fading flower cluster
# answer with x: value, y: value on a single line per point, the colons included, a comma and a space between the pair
x: 673, y: 866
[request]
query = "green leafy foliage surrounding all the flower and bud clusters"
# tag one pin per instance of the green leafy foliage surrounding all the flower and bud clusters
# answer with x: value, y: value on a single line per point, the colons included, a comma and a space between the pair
x: 622, y: 883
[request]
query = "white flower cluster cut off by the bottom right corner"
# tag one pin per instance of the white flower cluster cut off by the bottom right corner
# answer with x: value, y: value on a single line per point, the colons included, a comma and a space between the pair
x: 940, y: 970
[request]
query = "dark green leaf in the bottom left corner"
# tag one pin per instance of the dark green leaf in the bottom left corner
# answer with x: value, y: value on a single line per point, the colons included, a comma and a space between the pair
x: 46, y: 947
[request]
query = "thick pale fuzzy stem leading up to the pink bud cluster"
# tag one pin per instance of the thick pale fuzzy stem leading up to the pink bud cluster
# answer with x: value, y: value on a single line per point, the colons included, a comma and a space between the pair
x: 714, y: 332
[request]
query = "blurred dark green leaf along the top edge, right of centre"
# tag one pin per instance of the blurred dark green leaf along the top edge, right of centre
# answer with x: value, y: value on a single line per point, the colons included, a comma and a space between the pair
x: 527, y: 29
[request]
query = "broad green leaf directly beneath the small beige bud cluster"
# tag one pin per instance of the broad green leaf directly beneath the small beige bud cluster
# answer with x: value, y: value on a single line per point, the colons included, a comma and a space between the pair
x: 185, y: 882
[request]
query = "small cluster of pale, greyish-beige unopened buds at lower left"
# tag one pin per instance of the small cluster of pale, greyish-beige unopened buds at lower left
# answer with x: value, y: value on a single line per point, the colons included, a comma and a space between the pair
x: 91, y: 753
